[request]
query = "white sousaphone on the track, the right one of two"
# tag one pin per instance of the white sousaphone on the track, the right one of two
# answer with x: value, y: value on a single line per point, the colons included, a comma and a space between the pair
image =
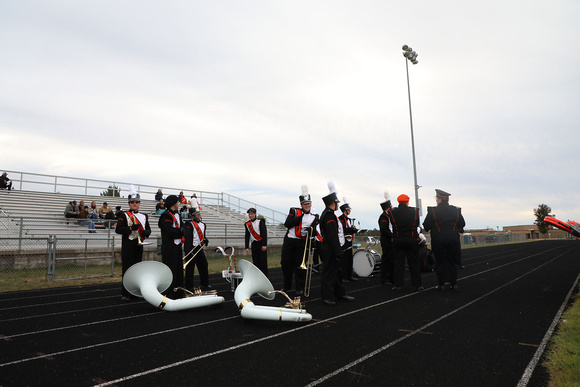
x: 254, y: 281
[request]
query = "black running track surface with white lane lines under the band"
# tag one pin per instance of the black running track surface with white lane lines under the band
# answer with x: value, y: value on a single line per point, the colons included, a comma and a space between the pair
x: 492, y: 332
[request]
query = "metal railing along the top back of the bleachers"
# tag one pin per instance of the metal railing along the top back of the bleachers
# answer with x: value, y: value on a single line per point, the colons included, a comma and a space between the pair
x: 74, y: 185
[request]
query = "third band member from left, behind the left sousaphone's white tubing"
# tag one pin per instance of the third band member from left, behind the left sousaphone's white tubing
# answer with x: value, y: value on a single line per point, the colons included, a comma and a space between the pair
x: 194, y: 240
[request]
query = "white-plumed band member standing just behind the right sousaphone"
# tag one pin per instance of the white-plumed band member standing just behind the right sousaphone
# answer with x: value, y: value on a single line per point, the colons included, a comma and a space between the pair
x: 299, y: 223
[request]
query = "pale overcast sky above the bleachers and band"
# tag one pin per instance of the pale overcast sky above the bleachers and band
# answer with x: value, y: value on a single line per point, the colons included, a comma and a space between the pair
x: 257, y: 98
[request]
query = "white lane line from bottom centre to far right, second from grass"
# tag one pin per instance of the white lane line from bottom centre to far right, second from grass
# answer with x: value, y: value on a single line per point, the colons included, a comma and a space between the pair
x: 418, y: 330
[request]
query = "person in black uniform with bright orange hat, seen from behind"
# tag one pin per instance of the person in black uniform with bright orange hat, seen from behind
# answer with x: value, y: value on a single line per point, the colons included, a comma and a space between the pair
x: 404, y: 222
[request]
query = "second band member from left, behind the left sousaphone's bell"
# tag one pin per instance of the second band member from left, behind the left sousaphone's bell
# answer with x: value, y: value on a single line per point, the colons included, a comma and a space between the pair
x: 171, y: 247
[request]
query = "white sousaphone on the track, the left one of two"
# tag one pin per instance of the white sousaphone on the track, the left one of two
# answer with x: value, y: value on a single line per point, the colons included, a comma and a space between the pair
x: 148, y: 279
